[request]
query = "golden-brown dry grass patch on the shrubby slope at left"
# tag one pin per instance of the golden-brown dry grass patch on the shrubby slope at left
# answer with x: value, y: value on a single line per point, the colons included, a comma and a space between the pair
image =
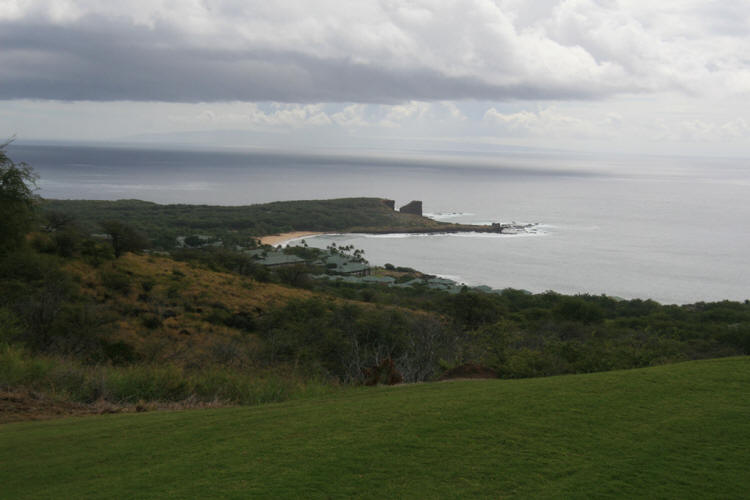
x: 174, y: 318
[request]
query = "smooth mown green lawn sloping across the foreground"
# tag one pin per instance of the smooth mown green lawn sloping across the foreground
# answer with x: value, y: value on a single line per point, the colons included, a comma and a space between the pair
x: 677, y: 431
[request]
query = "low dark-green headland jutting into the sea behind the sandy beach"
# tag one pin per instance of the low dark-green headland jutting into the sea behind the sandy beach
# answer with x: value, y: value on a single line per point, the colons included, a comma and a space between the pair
x: 163, y: 223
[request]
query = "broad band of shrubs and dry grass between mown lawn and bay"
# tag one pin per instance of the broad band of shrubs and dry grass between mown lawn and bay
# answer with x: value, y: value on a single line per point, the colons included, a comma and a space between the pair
x: 221, y: 329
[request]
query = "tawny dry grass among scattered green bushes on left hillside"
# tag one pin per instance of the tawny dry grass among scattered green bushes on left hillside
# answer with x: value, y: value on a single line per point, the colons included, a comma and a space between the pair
x: 197, y: 294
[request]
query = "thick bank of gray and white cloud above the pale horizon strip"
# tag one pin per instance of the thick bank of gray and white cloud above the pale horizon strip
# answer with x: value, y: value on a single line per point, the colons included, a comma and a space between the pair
x: 362, y: 52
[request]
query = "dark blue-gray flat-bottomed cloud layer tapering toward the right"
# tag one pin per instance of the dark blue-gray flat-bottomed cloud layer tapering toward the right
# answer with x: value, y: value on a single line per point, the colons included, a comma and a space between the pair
x: 110, y: 61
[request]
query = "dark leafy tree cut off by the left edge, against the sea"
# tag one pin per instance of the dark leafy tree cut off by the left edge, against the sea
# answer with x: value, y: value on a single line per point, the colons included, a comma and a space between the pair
x: 17, y: 185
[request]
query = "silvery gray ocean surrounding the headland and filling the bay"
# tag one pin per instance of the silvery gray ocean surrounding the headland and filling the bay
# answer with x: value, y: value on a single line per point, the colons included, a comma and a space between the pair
x: 671, y: 229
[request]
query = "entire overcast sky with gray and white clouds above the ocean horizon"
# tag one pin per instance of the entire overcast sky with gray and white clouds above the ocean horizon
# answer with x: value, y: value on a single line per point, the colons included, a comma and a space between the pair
x: 654, y: 76
